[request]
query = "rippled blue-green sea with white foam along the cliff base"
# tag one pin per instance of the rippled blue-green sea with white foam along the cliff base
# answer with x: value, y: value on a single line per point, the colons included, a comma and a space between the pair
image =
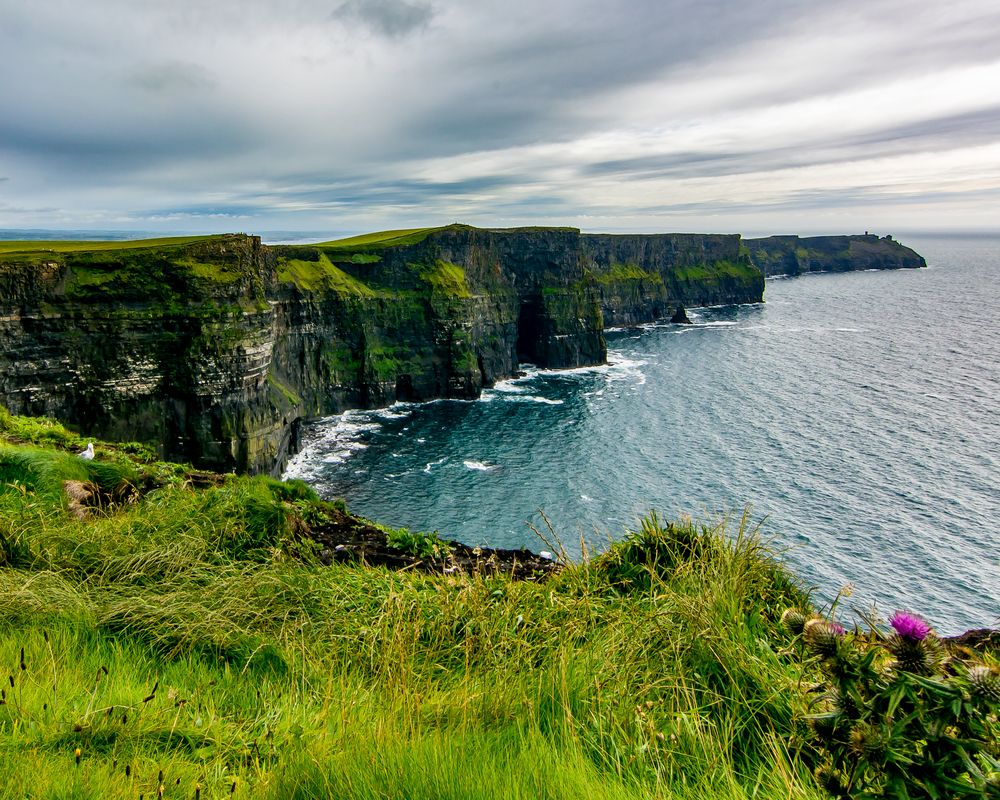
x: 857, y: 414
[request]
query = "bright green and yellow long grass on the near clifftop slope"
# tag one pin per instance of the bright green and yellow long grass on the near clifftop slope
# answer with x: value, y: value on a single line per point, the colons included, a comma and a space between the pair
x: 167, y: 640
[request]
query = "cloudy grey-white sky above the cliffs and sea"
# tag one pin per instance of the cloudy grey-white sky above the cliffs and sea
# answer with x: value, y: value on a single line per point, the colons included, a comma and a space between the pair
x: 342, y: 116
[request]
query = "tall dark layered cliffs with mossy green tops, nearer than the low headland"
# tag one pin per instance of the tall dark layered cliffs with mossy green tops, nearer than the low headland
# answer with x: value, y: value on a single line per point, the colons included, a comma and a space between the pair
x: 216, y: 348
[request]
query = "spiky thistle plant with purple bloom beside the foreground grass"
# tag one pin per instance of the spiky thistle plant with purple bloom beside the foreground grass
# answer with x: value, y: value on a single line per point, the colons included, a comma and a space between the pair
x: 896, y: 717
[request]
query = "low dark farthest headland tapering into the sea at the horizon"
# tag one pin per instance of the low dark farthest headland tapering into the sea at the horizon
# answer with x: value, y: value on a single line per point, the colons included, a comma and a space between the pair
x: 794, y: 255
